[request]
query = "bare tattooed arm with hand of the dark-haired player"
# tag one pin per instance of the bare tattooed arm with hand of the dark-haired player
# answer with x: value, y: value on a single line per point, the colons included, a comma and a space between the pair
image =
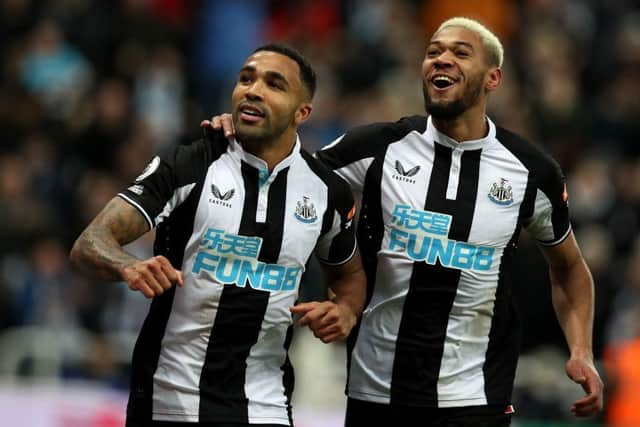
x: 98, y: 251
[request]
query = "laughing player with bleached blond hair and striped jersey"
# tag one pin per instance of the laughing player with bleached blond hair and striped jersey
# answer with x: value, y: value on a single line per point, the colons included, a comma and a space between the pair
x: 444, y: 199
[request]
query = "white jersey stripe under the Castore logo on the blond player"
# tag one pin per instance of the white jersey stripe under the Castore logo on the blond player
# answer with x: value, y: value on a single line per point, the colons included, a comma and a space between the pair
x: 380, y: 322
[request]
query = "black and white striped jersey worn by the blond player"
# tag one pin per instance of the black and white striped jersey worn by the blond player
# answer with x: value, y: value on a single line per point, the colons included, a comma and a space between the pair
x: 437, y: 230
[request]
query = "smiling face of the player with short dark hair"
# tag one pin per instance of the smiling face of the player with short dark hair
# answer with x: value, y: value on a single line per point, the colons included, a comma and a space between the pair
x: 269, y: 100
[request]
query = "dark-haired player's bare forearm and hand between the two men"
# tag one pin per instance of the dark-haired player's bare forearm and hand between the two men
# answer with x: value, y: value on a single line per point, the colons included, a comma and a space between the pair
x: 333, y: 320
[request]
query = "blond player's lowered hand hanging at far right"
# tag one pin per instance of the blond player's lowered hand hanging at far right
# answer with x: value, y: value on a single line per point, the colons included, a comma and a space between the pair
x: 582, y: 371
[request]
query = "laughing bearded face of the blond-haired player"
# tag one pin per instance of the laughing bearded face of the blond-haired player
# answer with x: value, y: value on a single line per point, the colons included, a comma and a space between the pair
x: 456, y: 73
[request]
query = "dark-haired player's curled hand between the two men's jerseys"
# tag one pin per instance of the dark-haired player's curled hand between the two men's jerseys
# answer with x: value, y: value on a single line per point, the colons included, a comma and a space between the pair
x: 328, y: 321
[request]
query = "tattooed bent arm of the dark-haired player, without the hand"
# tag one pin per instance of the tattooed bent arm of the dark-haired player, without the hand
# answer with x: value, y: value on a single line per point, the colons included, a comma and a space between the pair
x: 98, y: 250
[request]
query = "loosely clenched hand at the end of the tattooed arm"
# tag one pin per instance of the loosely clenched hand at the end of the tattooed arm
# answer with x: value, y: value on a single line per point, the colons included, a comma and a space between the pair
x: 152, y: 276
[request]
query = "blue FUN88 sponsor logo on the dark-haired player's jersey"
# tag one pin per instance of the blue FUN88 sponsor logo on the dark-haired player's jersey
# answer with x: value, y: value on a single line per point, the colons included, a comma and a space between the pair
x: 233, y: 259
